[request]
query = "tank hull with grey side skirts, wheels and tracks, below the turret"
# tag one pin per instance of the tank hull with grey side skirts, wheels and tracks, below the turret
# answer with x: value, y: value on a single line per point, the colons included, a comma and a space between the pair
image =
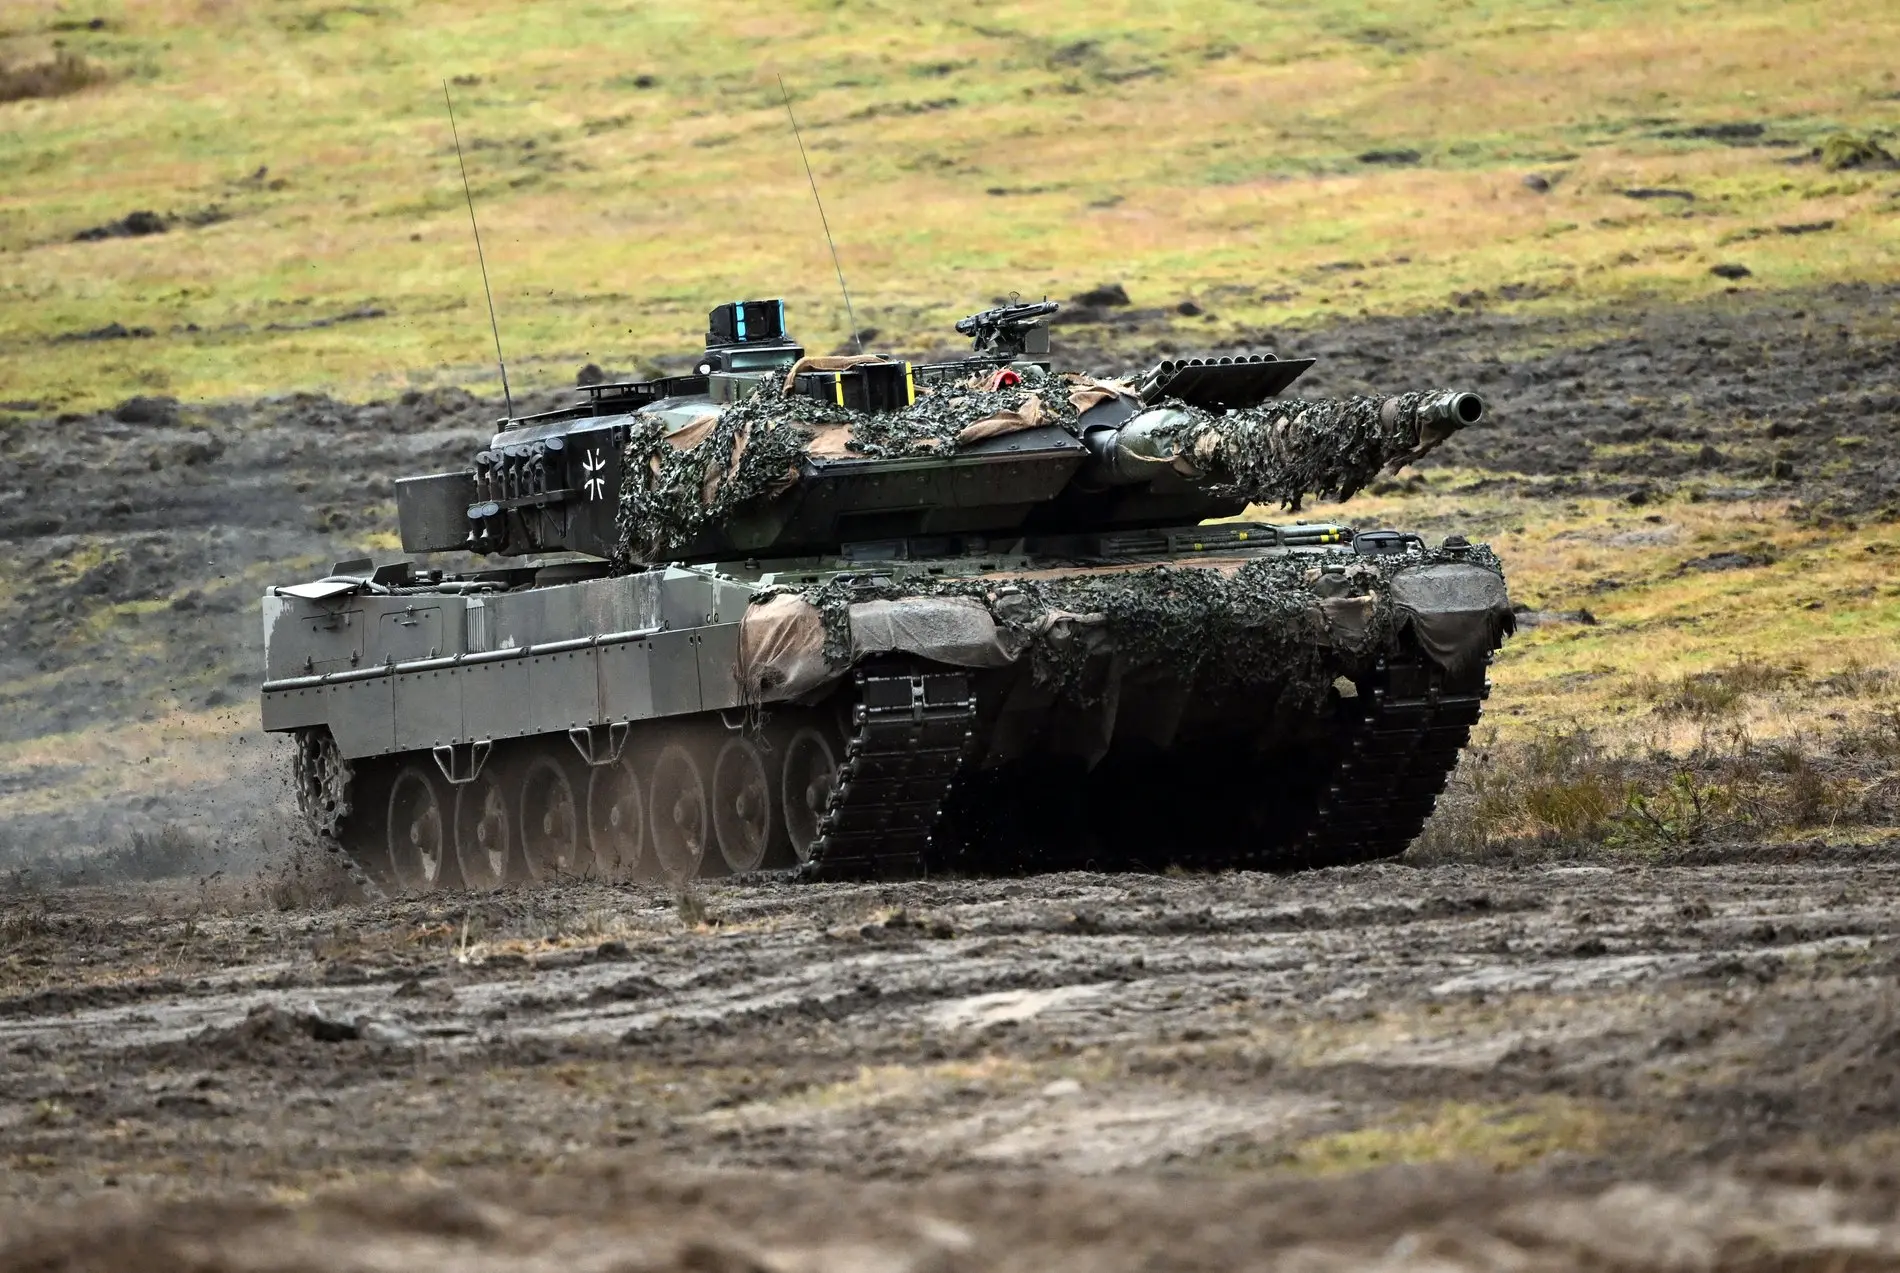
x: 1211, y: 696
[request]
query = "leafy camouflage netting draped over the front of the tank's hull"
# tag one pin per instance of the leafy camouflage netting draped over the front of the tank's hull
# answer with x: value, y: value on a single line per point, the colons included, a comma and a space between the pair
x: 1274, y: 620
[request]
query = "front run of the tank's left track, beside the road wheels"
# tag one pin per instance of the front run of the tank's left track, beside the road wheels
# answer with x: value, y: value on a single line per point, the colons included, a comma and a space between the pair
x: 909, y: 734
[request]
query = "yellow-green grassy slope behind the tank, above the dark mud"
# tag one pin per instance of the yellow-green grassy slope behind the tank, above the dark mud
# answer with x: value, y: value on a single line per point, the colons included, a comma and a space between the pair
x: 632, y: 164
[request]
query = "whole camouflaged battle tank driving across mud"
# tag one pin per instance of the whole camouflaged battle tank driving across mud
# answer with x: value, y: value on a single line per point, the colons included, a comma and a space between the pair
x: 865, y: 617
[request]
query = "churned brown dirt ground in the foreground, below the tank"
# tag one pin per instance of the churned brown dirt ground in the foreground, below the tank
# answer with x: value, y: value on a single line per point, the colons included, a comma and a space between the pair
x: 1122, y: 1071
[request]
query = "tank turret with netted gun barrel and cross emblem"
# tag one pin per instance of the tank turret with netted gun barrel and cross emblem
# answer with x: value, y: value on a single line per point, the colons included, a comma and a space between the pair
x: 765, y: 449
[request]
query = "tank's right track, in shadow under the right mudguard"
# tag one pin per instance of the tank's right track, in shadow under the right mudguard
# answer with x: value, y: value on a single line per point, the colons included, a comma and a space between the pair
x: 1396, y: 761
